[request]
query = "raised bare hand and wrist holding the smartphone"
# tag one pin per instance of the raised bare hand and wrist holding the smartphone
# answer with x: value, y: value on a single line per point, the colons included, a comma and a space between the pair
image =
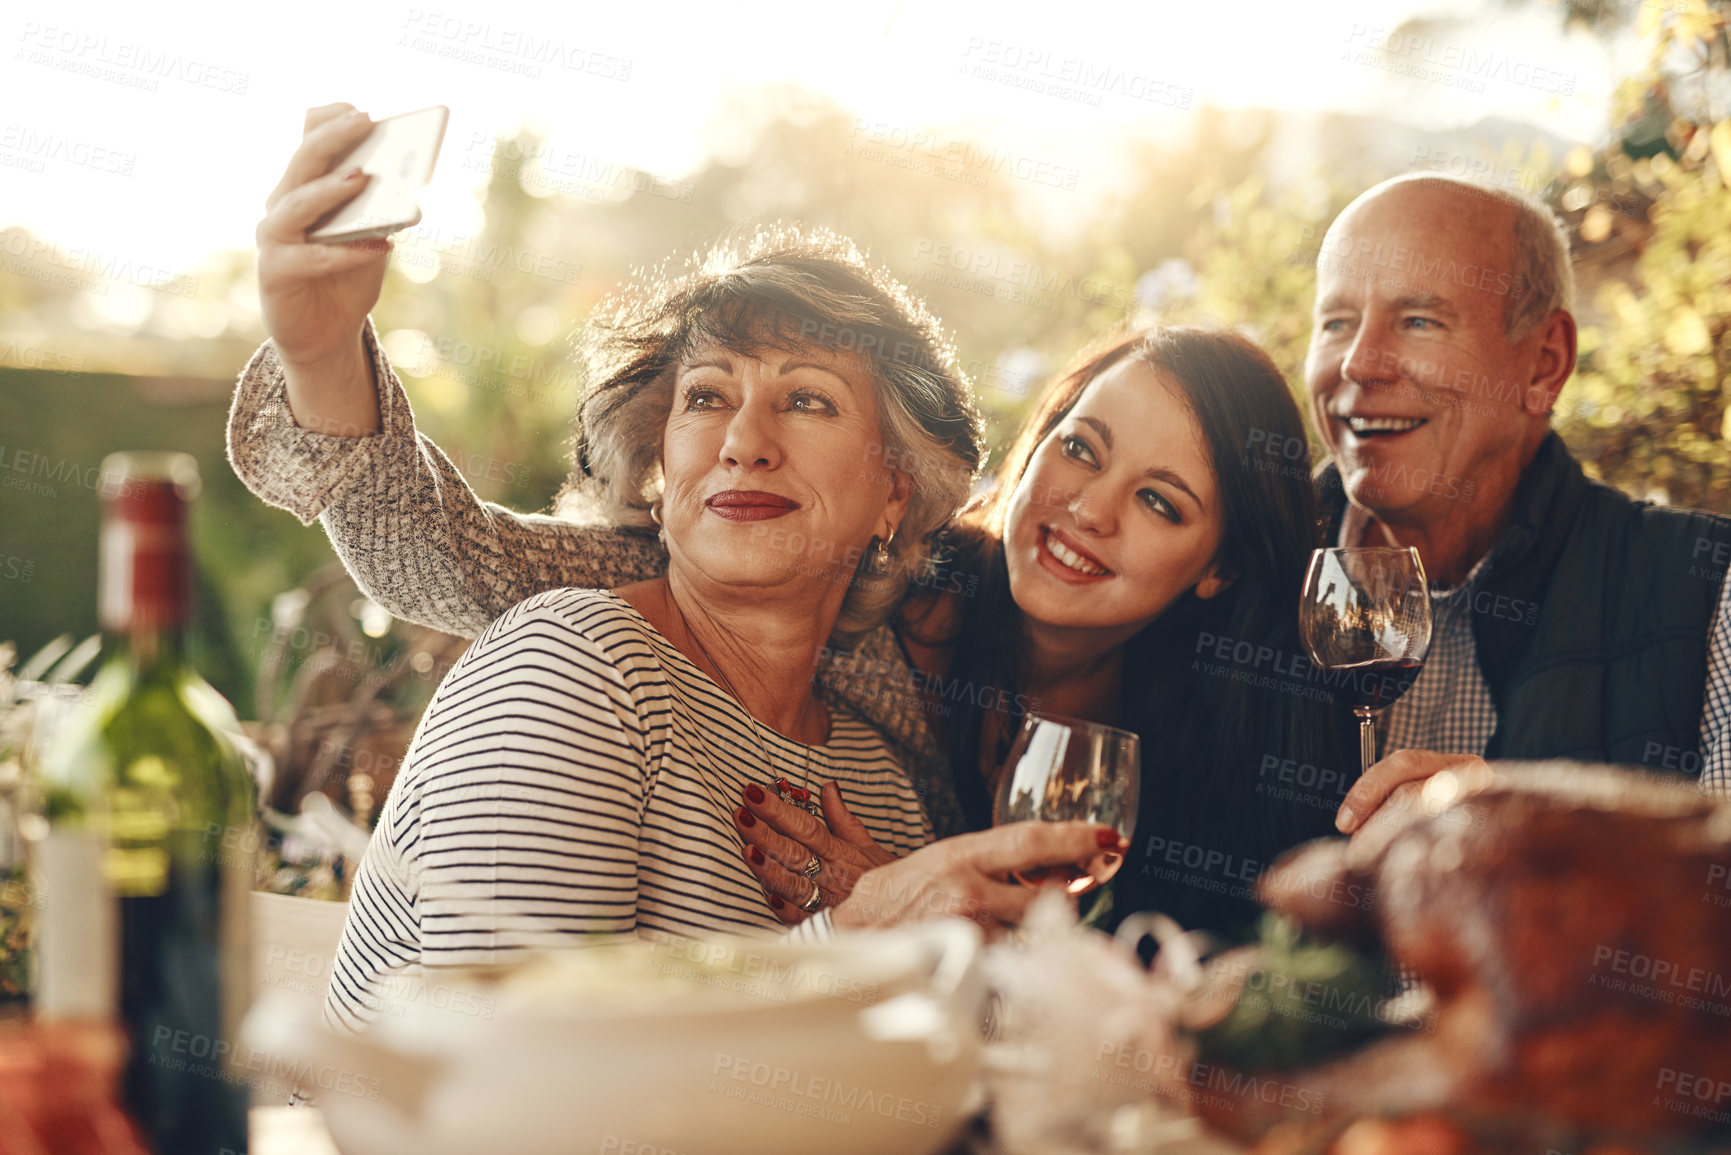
x: 316, y: 297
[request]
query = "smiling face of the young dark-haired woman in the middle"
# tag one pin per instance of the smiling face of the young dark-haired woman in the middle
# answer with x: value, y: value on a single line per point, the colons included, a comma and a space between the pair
x: 1119, y: 513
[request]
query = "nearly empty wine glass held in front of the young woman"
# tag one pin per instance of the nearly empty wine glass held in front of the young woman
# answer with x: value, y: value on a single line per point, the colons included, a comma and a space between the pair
x: 1065, y: 770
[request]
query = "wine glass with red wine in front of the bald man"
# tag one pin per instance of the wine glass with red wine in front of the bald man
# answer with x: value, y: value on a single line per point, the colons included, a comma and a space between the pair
x: 1365, y: 617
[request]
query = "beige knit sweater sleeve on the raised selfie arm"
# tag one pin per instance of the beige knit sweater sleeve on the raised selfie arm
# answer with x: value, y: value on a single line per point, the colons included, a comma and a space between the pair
x: 406, y: 522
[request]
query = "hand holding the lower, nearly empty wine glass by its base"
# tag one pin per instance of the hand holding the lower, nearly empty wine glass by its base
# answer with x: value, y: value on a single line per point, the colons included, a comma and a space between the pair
x: 968, y: 877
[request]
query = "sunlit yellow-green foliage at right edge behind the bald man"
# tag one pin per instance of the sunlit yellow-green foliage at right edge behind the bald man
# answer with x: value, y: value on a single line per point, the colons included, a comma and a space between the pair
x: 1651, y: 410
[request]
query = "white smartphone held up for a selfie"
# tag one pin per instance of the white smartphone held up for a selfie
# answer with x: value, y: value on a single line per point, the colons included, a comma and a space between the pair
x: 399, y: 157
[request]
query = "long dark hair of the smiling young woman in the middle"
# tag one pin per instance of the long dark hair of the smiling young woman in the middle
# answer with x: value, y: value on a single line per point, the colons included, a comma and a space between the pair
x: 1209, y: 730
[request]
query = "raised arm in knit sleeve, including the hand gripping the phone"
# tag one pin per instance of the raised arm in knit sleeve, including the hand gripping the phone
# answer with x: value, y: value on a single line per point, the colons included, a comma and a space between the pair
x: 321, y: 427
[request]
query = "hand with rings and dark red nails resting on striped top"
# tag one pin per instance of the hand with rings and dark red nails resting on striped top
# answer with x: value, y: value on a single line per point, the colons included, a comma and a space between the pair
x: 783, y: 842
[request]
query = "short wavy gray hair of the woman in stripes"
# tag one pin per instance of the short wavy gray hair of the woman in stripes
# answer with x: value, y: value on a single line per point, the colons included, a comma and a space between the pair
x: 778, y: 288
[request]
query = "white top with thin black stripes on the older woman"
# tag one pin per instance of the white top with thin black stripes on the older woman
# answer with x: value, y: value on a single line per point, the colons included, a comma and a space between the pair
x: 574, y: 777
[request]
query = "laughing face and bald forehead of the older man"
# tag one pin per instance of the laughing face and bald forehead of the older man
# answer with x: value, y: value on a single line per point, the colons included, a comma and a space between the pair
x: 1415, y: 385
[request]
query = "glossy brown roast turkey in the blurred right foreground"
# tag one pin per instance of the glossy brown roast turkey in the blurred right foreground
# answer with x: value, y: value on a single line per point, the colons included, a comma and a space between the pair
x: 1573, y: 927
